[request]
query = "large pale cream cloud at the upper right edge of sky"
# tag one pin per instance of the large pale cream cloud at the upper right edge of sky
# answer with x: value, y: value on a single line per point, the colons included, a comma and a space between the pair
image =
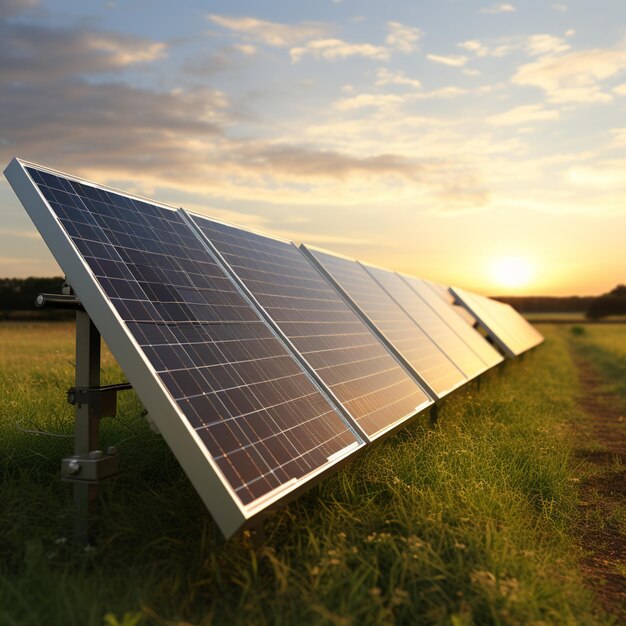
x: 573, y: 77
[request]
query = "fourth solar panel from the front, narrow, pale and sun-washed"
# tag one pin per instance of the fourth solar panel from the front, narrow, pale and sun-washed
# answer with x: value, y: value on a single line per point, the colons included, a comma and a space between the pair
x: 423, y: 315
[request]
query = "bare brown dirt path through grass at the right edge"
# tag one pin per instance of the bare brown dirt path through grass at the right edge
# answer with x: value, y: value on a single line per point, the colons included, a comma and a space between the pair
x: 603, y: 491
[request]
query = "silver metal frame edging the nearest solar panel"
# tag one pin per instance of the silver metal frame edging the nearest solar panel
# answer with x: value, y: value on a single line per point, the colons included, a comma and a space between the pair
x: 230, y: 514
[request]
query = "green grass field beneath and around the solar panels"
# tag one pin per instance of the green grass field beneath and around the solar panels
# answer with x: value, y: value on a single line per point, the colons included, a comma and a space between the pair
x: 472, y: 522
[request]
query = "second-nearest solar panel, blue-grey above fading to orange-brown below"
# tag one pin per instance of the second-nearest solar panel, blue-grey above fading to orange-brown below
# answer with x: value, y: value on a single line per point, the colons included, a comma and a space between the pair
x: 341, y: 349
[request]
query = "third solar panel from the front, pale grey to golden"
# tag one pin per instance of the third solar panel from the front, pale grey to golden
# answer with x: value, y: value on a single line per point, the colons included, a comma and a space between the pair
x: 428, y: 362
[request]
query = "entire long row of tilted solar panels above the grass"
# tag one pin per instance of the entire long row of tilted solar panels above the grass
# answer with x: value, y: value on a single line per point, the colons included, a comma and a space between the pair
x: 264, y: 365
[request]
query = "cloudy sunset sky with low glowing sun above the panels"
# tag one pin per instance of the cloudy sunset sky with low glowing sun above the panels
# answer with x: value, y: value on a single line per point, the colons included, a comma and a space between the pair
x: 473, y: 143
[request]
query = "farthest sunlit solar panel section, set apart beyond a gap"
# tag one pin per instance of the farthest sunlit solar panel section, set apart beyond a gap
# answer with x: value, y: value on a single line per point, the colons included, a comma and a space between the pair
x: 507, y: 328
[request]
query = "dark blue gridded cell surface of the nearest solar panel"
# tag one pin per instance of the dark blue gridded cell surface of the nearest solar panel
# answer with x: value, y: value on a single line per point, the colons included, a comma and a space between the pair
x: 258, y: 414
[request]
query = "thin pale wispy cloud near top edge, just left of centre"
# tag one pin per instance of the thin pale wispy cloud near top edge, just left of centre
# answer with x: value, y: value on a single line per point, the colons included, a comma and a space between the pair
x: 270, y: 33
